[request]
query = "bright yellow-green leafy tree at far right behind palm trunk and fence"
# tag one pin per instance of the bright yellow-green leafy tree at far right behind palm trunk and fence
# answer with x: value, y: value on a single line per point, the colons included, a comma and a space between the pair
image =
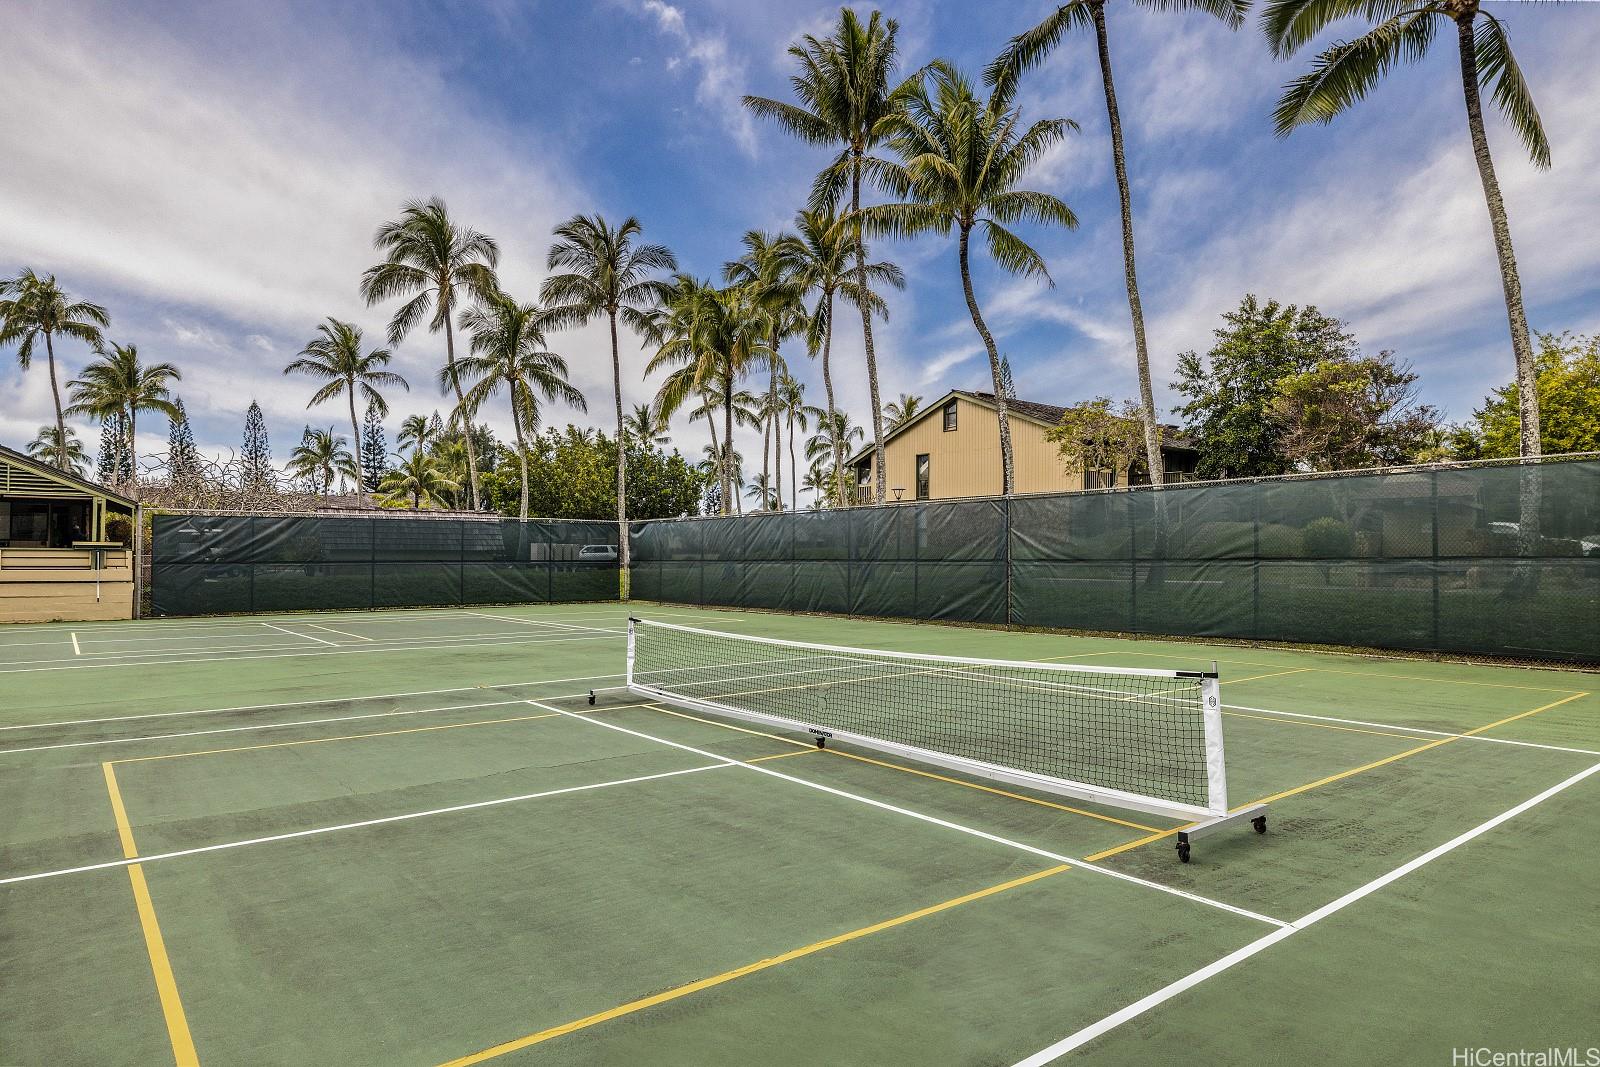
x: 1569, y: 374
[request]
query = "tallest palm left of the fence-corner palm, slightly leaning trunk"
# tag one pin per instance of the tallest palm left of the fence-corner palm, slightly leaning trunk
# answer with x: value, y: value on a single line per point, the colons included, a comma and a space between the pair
x: 433, y: 262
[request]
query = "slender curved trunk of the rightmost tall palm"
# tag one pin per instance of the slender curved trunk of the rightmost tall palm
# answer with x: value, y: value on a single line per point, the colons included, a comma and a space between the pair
x: 1521, y: 345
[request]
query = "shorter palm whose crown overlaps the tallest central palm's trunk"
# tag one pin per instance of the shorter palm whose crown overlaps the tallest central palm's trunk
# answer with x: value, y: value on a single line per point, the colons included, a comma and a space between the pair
x: 820, y: 263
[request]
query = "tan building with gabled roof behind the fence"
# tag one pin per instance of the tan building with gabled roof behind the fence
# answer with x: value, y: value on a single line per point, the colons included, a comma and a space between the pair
x: 953, y: 449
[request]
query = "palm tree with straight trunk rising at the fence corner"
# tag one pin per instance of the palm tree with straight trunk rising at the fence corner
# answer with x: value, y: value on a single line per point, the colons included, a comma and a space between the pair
x: 606, y: 271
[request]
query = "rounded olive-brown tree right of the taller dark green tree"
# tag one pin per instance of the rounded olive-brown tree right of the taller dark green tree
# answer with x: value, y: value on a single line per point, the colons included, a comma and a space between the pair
x: 1353, y: 414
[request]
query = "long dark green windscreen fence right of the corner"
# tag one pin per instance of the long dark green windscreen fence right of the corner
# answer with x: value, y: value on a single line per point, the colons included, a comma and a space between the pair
x: 1481, y: 559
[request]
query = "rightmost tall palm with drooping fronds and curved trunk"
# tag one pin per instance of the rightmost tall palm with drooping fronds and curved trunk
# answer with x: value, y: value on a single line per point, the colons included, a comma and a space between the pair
x: 1348, y: 71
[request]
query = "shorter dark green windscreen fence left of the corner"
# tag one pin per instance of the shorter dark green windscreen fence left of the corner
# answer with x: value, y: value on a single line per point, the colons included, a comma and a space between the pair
x: 234, y: 564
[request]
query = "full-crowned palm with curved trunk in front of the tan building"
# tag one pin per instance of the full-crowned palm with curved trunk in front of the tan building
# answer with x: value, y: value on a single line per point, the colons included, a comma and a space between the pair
x: 961, y: 162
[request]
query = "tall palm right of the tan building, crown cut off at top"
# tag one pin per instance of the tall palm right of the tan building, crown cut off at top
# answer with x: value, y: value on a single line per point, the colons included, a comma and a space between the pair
x: 1031, y: 49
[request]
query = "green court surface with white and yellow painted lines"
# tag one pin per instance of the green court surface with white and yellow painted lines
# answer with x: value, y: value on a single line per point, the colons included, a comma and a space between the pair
x: 407, y: 837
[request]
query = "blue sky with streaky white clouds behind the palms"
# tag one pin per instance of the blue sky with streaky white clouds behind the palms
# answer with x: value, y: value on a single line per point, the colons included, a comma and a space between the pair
x: 214, y: 175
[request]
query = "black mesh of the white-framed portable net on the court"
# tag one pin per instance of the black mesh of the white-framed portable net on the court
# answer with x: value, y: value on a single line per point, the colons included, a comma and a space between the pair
x: 1138, y: 733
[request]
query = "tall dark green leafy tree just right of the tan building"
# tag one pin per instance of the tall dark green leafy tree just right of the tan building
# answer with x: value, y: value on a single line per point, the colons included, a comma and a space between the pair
x: 1230, y: 393
